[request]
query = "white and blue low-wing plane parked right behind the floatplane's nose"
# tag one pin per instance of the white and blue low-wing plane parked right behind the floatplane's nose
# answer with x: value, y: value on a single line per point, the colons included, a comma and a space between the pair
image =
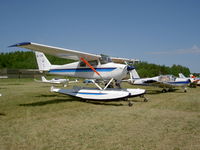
x: 167, y: 82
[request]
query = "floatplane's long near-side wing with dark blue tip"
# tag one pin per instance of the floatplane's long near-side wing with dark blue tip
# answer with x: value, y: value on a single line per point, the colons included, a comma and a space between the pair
x: 56, y: 51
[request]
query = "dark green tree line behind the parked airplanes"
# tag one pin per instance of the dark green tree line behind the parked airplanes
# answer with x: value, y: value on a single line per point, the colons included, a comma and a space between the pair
x: 27, y: 60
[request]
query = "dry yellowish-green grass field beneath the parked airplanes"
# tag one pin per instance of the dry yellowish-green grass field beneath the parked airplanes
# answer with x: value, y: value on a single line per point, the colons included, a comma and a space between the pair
x: 33, y: 118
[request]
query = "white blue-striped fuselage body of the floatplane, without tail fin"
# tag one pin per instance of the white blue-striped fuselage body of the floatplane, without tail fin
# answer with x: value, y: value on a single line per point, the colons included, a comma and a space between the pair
x: 107, y: 71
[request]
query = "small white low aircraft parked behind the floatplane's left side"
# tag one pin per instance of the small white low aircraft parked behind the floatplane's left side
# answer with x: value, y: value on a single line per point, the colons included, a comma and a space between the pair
x: 64, y: 82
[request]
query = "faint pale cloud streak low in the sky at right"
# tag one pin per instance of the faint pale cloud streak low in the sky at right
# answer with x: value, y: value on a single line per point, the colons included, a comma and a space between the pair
x: 193, y: 50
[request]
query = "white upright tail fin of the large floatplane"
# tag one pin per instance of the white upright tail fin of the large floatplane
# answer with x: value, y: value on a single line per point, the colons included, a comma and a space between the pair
x: 42, y: 61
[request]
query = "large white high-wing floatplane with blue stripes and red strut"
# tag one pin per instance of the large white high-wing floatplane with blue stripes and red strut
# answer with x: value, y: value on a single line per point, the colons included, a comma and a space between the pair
x: 87, y: 66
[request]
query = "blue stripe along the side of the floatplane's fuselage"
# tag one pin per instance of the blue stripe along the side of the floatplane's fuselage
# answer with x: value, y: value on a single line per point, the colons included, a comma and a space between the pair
x: 82, y: 70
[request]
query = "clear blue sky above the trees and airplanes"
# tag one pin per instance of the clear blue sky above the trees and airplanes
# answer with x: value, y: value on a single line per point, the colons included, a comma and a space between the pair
x: 163, y: 32
